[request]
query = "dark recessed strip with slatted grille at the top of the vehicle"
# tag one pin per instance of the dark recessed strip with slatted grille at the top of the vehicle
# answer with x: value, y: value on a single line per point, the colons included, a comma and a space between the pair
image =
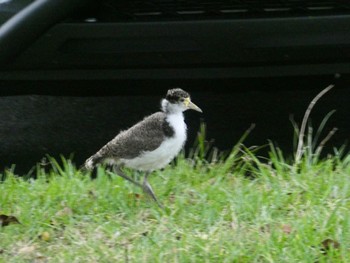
x: 158, y: 10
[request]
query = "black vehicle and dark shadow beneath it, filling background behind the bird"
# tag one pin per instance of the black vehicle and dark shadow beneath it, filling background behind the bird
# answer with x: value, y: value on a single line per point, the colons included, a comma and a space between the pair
x: 74, y: 73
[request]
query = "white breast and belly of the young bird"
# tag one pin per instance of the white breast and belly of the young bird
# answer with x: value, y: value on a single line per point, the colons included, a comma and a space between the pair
x: 166, y: 152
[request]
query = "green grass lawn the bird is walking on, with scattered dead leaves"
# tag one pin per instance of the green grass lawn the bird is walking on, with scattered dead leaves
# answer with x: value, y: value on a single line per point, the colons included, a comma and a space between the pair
x: 214, y: 213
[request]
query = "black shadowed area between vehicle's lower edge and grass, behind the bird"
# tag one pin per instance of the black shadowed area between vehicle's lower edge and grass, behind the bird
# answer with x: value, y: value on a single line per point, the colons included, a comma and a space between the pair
x: 78, y: 117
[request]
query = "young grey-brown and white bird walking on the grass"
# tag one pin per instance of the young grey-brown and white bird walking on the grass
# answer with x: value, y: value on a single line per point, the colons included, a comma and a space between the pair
x: 150, y: 144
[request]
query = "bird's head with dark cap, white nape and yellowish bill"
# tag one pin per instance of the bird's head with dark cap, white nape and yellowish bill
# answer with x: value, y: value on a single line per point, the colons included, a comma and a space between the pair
x: 178, y: 100
